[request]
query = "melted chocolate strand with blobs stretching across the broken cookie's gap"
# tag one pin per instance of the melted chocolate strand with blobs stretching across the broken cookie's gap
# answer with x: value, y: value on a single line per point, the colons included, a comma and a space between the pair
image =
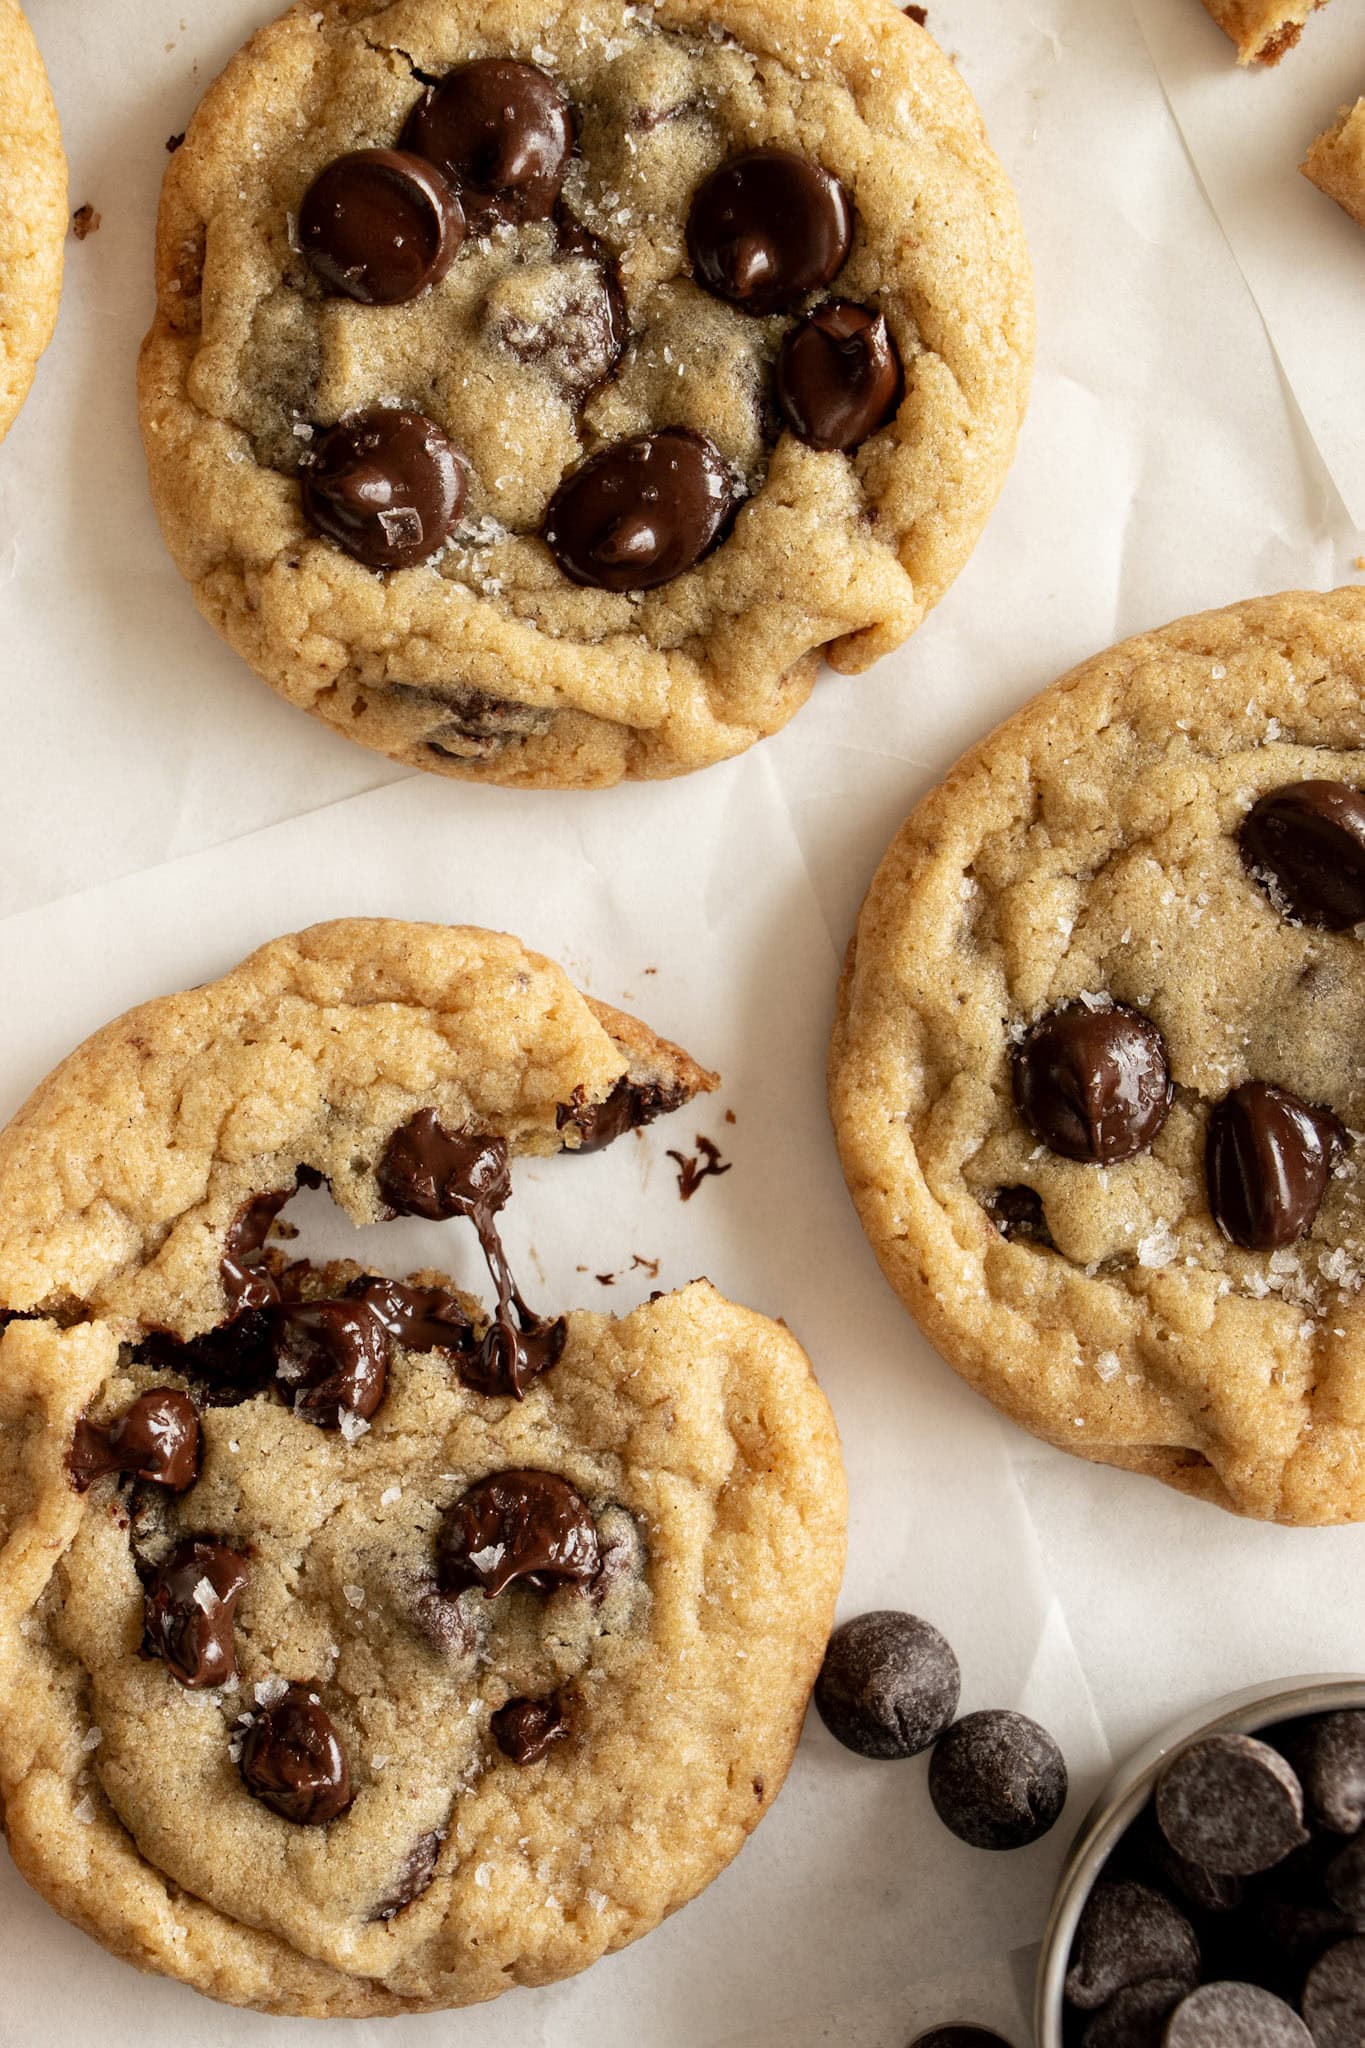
x: 439, y: 1175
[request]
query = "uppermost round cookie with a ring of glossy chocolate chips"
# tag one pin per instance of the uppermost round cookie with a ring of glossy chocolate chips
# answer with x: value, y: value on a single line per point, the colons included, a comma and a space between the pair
x: 539, y: 390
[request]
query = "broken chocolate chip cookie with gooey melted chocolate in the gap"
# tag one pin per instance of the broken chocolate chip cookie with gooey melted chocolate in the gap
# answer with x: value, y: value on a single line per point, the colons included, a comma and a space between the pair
x: 367, y: 1646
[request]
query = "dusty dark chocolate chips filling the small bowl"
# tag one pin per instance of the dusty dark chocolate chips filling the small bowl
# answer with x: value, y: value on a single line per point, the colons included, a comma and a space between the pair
x: 1233, y: 1914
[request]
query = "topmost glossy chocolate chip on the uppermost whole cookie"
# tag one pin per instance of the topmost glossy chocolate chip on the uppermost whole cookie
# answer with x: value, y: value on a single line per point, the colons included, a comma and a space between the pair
x: 502, y: 134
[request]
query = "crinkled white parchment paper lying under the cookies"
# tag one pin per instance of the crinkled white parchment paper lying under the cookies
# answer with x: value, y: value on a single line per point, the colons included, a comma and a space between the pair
x: 1165, y: 468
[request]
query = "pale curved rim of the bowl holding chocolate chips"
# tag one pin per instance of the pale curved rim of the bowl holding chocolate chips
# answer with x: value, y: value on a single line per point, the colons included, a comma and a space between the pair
x: 1129, y: 1791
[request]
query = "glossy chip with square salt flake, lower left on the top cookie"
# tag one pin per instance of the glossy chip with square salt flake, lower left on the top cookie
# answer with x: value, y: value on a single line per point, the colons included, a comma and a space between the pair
x: 386, y: 486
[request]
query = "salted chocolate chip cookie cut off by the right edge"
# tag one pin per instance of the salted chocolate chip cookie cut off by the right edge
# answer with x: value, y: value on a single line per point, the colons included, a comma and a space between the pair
x: 1098, y: 1072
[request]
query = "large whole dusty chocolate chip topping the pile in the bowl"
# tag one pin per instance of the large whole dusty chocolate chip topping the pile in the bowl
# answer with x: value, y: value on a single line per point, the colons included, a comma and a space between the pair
x: 1231, y: 1803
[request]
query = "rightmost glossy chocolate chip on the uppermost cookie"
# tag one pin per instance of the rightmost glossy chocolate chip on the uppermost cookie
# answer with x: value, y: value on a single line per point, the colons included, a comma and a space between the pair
x: 840, y: 378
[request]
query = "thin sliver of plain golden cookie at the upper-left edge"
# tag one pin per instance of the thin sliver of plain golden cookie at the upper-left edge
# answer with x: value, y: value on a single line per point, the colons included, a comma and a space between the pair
x: 32, y: 212
